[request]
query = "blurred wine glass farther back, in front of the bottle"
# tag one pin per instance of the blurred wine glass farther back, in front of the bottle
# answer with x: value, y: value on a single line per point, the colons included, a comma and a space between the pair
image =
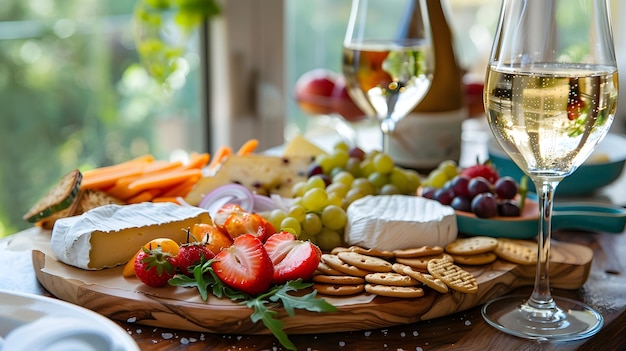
x: 387, y: 59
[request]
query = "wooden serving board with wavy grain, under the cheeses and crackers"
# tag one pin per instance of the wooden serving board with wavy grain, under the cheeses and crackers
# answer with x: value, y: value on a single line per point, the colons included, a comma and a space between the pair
x: 109, y: 294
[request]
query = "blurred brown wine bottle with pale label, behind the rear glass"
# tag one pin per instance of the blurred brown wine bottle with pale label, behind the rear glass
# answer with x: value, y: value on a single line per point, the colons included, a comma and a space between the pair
x: 432, y: 132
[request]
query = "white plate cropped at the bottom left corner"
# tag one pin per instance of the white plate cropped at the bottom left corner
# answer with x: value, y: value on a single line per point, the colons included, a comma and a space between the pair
x: 58, y: 325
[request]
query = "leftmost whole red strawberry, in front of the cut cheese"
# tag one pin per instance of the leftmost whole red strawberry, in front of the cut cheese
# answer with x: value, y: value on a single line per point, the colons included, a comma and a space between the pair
x: 154, y: 267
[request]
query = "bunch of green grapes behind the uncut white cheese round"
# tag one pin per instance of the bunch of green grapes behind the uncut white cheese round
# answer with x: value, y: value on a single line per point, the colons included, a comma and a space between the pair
x: 335, y: 180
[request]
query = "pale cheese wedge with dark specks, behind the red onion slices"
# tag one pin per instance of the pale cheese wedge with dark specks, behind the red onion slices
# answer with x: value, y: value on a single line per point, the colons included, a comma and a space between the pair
x: 261, y: 174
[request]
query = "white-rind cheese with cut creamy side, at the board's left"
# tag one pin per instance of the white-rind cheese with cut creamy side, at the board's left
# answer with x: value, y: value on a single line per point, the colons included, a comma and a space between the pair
x: 110, y: 235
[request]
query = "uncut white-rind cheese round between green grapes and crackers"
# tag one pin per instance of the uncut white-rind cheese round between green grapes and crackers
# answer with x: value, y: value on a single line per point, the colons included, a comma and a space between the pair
x: 392, y: 222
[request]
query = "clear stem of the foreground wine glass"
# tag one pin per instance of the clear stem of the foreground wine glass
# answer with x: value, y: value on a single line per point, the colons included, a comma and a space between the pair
x: 541, y: 297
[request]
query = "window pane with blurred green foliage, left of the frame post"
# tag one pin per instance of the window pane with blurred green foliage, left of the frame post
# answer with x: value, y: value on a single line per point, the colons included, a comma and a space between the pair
x: 74, y: 96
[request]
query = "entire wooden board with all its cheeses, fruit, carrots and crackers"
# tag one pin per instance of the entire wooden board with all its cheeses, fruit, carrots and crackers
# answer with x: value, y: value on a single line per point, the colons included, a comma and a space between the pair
x: 331, y: 241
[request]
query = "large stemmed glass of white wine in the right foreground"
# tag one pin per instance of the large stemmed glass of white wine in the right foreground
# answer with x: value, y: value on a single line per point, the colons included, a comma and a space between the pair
x: 550, y: 96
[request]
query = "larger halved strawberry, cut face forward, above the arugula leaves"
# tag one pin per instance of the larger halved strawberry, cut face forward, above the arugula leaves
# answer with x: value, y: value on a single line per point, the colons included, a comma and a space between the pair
x: 245, y: 265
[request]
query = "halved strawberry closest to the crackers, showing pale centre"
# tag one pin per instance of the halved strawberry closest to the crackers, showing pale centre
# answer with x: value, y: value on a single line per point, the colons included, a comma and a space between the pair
x: 292, y: 258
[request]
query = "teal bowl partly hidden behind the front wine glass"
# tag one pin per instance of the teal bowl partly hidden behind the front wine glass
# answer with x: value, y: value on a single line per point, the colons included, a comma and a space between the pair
x: 603, y: 168
